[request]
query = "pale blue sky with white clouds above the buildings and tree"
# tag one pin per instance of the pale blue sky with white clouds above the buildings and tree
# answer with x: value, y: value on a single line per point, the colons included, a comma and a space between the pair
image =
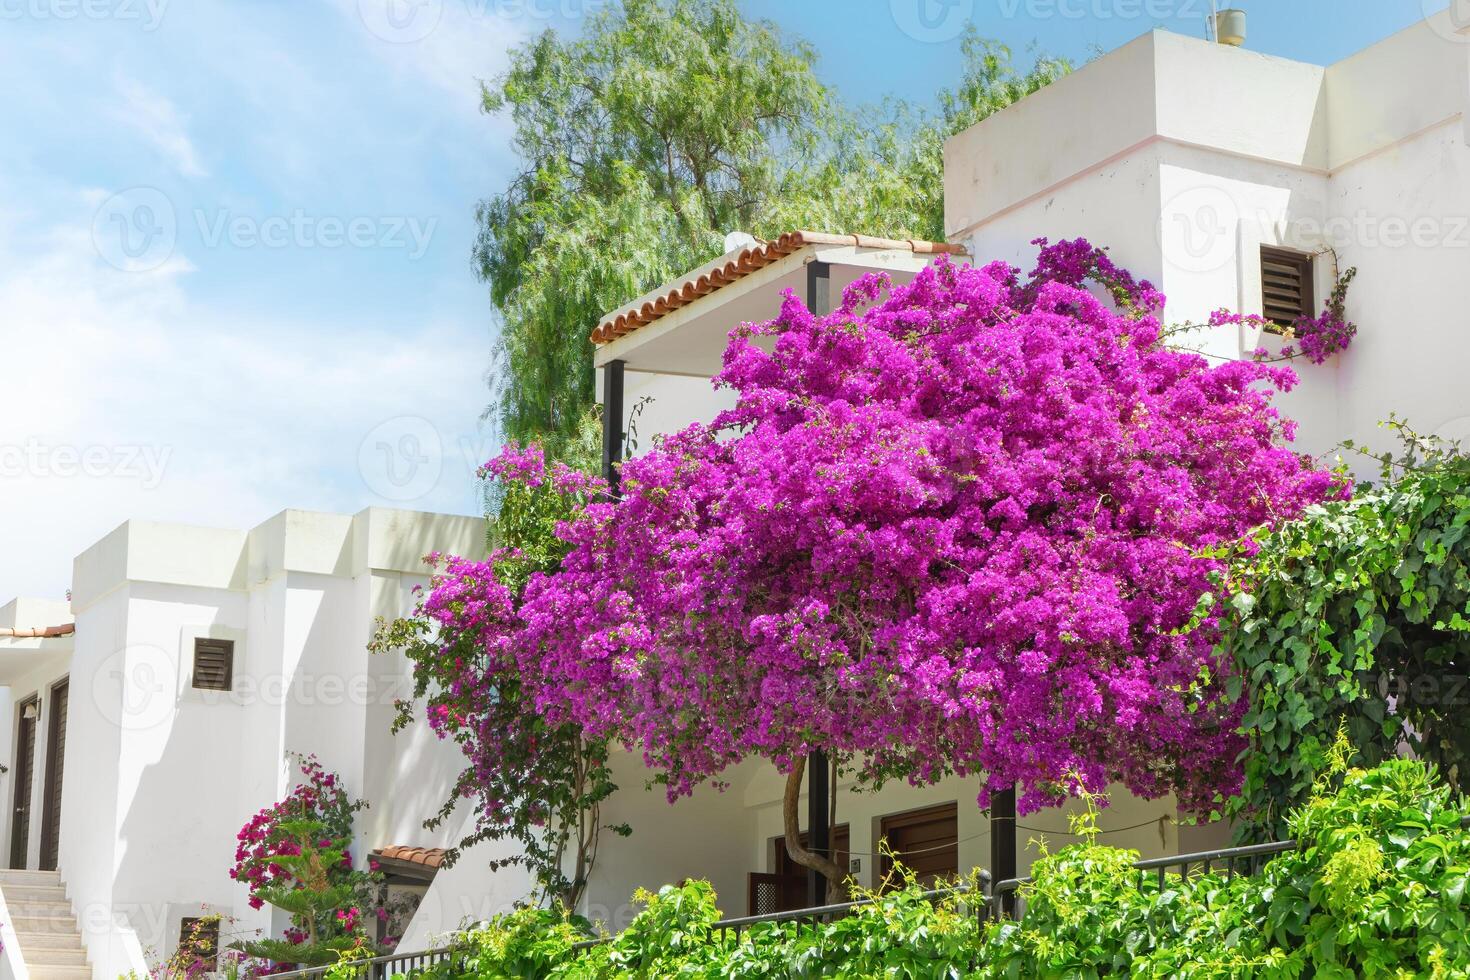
x: 236, y: 234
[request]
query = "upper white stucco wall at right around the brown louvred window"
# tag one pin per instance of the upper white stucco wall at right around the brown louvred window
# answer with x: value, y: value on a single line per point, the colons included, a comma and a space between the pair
x: 1186, y: 158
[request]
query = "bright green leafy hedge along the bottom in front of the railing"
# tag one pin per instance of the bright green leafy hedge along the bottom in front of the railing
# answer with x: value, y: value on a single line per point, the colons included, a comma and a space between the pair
x: 1378, y: 890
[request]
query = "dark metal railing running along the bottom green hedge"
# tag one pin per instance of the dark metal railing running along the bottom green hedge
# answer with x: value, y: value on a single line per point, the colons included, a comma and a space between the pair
x: 1002, y: 900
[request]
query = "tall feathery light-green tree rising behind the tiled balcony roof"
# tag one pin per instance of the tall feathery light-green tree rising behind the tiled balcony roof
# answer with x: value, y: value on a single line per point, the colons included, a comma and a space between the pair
x: 665, y: 127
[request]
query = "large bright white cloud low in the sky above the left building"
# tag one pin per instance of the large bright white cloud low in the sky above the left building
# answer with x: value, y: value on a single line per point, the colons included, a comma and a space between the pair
x: 126, y: 399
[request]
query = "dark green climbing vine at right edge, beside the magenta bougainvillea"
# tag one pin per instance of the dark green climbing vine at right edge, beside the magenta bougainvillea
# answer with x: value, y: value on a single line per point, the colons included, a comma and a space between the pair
x: 1358, y: 612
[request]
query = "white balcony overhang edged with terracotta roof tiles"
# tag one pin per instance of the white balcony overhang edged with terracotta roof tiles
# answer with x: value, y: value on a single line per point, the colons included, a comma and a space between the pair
x: 683, y: 327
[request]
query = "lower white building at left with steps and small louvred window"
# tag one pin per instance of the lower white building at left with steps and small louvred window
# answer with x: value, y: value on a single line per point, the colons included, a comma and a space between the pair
x: 190, y: 665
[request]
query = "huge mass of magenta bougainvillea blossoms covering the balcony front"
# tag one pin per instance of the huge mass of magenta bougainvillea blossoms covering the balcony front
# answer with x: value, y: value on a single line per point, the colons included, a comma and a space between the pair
x: 953, y: 527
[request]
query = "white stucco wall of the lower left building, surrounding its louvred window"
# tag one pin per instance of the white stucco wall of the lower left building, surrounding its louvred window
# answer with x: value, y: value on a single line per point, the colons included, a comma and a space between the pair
x: 161, y: 777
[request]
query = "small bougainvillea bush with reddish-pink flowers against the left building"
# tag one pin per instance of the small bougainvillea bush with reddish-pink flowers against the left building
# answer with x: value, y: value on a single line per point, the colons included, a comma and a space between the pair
x: 296, y: 856
